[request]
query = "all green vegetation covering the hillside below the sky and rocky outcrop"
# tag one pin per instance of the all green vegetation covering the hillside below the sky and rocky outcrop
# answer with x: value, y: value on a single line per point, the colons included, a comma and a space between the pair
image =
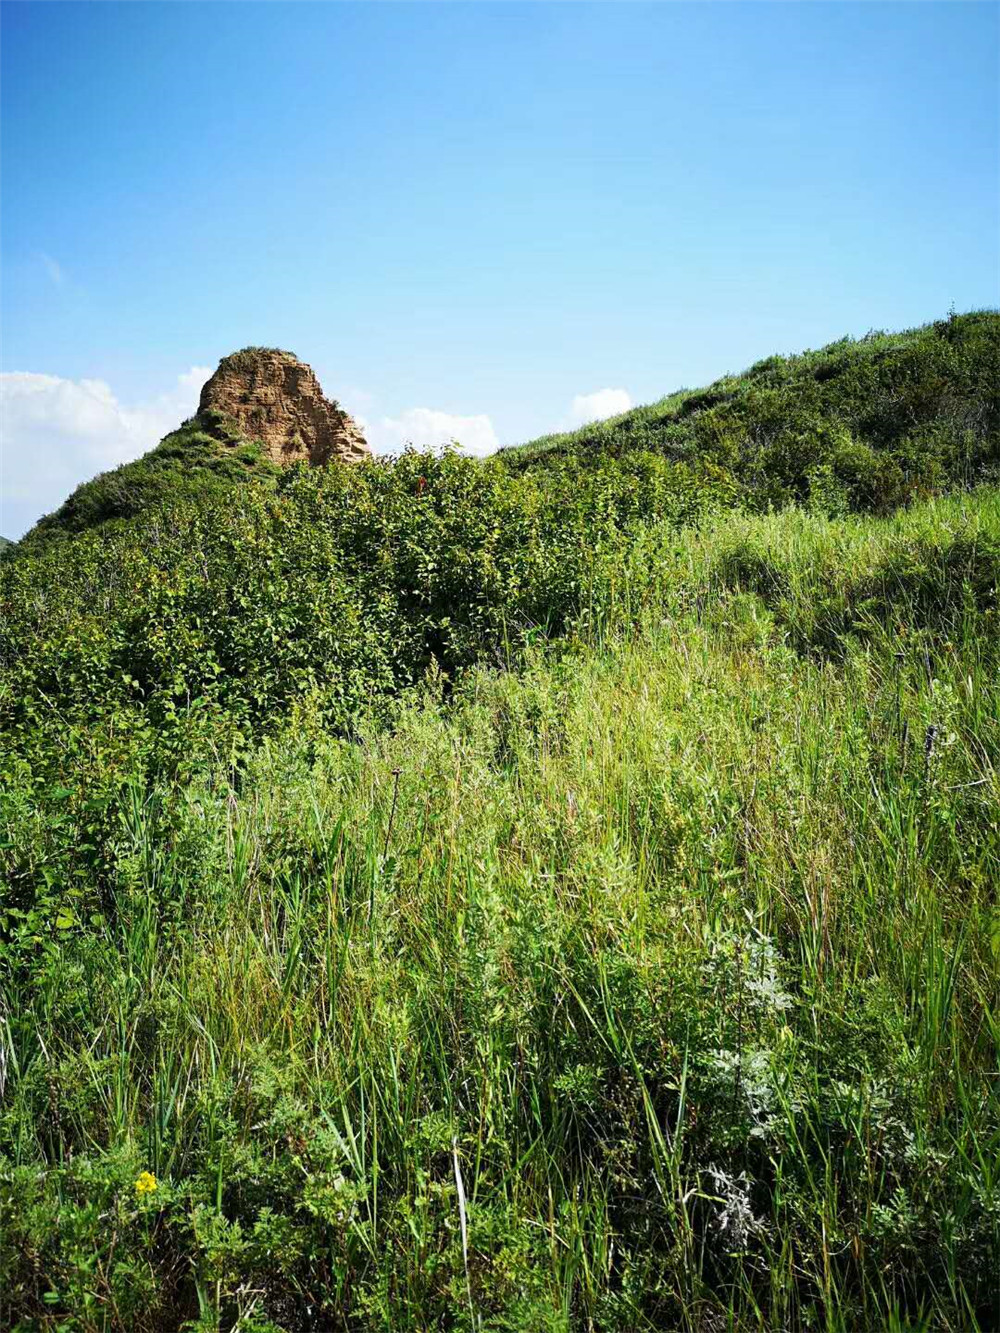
x: 551, y: 892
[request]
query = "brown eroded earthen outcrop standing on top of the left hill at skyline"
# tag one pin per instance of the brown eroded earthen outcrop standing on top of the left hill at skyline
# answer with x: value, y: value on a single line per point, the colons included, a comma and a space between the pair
x: 277, y: 399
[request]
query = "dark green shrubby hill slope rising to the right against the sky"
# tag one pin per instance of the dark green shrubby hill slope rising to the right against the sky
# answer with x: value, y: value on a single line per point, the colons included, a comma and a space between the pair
x: 875, y: 418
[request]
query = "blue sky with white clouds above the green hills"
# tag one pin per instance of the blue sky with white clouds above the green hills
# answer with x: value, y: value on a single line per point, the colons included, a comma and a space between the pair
x: 487, y: 221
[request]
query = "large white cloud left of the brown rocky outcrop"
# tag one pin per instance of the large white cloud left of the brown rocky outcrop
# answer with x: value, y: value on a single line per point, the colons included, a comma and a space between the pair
x: 57, y: 434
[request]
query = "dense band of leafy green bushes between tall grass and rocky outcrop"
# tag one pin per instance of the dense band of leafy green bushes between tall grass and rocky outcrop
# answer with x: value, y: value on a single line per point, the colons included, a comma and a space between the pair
x: 341, y: 587
